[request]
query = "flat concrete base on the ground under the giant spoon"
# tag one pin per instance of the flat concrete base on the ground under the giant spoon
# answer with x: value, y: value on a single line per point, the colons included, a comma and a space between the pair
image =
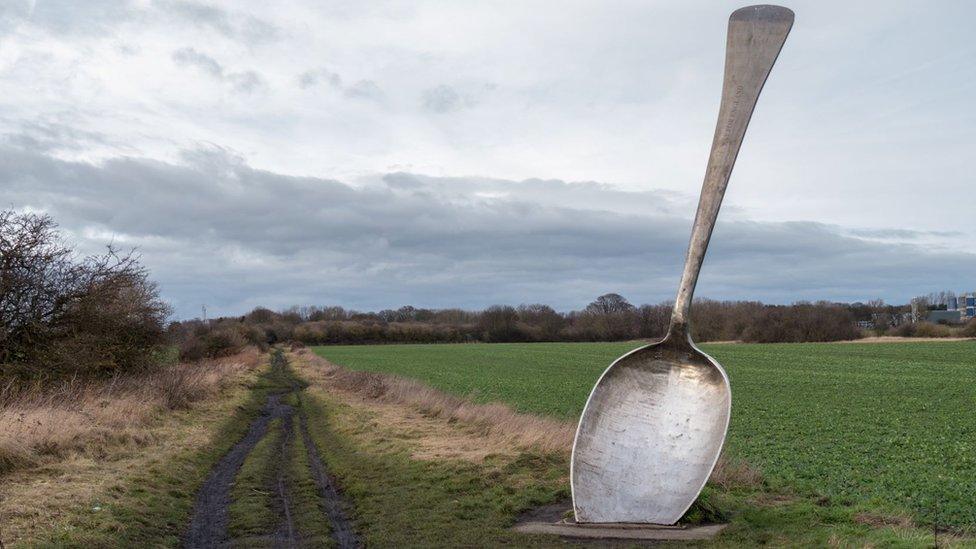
x: 570, y: 529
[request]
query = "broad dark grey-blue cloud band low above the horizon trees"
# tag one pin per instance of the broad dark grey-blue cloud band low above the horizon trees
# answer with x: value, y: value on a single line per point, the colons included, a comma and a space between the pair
x: 217, y: 231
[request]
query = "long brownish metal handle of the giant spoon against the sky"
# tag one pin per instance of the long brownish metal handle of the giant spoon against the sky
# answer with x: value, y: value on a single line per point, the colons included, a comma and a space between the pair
x: 756, y: 35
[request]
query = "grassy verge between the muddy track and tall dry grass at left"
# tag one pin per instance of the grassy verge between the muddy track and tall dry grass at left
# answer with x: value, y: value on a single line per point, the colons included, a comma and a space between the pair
x: 133, y: 494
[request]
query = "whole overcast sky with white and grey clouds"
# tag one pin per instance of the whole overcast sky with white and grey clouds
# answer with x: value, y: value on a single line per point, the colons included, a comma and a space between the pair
x: 376, y: 154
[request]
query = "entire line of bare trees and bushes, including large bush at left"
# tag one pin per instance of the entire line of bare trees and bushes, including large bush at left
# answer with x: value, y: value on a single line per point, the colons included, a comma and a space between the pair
x: 61, y: 313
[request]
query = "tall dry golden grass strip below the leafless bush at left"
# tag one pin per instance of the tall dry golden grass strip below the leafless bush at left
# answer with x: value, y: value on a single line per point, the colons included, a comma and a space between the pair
x: 40, y: 424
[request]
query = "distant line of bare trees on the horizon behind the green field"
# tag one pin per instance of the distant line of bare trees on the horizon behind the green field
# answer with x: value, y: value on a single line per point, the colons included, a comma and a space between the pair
x: 609, y: 317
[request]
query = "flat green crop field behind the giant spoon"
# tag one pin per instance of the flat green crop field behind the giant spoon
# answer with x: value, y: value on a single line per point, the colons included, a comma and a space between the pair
x: 880, y: 426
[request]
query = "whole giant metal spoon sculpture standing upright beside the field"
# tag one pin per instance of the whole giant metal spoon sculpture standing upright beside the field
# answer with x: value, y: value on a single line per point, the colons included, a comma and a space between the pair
x: 653, y: 427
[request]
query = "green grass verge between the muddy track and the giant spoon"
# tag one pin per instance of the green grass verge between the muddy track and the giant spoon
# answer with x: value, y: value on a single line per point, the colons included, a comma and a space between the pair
x: 404, y: 502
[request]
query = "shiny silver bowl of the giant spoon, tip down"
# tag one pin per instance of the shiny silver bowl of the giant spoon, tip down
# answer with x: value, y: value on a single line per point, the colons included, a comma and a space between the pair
x: 671, y: 402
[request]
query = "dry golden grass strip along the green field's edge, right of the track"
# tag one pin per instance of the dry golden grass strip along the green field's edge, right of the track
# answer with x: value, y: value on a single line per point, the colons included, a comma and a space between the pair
x: 467, y: 430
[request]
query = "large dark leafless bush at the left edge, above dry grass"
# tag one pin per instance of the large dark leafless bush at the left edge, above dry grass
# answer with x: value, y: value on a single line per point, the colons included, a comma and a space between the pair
x: 61, y: 314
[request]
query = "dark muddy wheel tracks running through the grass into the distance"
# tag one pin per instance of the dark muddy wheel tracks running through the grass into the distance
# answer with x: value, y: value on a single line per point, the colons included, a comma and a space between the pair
x: 210, y: 518
